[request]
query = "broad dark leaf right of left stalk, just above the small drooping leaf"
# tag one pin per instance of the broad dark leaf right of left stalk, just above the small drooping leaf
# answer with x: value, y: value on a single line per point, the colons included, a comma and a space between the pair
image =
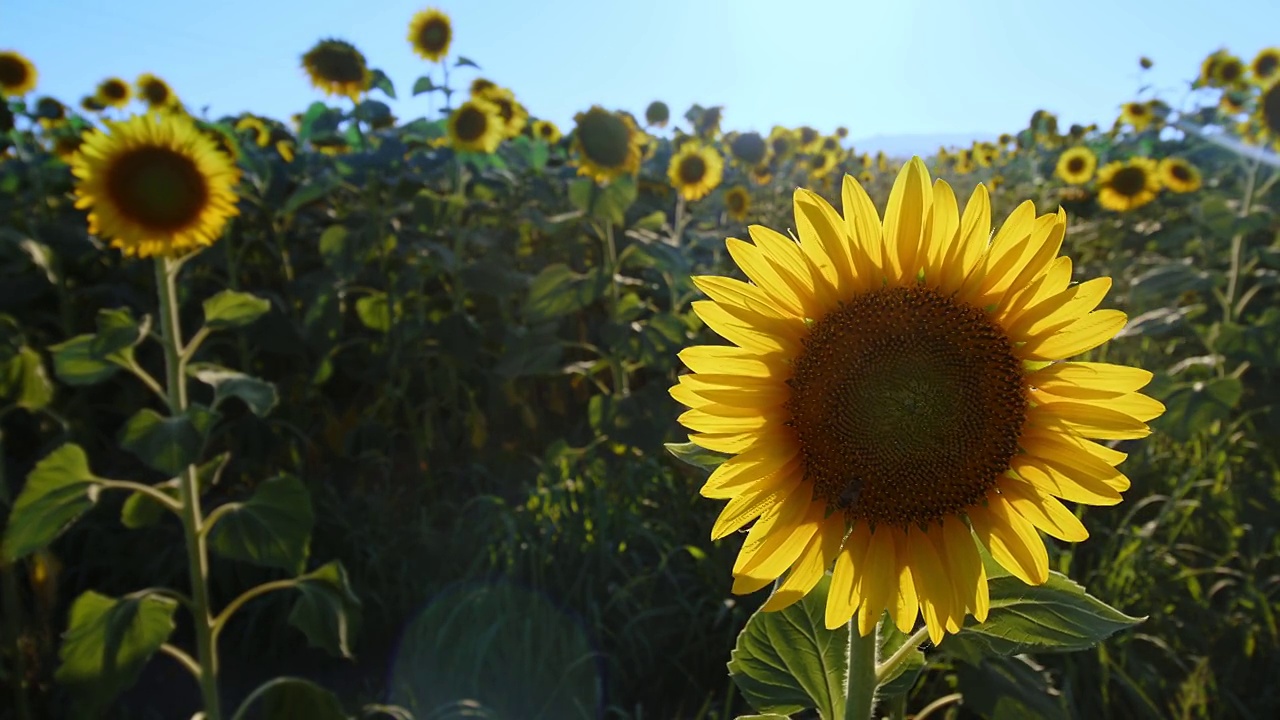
x: 272, y: 528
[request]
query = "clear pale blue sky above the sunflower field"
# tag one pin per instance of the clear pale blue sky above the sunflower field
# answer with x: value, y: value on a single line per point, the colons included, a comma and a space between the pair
x: 880, y: 67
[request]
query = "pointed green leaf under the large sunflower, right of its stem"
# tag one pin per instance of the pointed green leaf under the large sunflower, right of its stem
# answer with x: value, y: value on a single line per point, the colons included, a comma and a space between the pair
x: 1057, y: 617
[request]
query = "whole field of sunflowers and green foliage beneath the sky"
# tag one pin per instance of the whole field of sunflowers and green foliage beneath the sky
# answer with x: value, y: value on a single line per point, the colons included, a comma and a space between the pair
x: 472, y: 416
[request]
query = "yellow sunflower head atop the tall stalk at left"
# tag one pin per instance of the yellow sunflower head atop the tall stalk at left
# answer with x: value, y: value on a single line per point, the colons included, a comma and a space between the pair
x: 156, y: 185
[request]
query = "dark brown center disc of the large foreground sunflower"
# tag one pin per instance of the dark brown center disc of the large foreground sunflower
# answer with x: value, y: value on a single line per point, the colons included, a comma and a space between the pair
x: 907, y: 405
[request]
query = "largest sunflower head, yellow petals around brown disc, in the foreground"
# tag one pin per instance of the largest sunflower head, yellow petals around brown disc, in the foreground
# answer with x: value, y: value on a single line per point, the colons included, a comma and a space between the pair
x: 897, y: 394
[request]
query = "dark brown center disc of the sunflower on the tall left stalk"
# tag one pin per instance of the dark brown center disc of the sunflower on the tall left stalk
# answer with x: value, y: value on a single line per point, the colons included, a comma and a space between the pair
x: 158, y: 189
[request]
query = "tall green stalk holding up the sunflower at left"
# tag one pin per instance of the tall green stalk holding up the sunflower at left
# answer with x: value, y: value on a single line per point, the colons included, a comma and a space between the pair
x: 189, y: 491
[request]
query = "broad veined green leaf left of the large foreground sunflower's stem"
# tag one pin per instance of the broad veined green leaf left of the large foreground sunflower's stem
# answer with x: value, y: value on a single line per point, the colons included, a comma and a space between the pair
x: 788, y: 662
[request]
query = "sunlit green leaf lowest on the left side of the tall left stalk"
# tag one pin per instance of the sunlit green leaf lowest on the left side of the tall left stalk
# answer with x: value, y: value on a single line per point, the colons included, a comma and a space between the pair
x: 108, y: 642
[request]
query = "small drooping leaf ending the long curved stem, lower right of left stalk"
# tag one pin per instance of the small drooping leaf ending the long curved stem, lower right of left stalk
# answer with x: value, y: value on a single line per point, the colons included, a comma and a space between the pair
x: 328, y: 612
